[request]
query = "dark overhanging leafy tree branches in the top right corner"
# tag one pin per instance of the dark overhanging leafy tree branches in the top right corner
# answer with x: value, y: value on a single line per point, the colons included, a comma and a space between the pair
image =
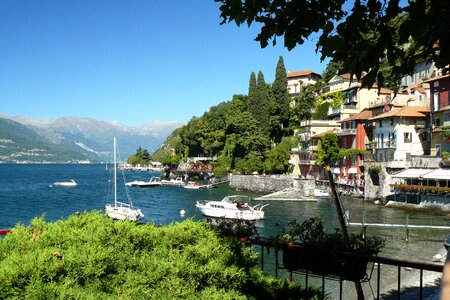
x: 364, y: 37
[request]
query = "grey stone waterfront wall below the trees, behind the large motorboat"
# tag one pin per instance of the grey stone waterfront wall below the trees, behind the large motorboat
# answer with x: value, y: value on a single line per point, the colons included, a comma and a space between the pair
x: 260, y: 183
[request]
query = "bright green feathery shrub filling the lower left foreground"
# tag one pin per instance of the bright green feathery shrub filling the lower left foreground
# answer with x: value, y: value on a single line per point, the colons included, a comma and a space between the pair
x: 94, y: 257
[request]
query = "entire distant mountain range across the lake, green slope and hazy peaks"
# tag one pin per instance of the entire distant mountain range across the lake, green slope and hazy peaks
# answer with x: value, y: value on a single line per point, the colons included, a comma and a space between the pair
x: 75, y: 139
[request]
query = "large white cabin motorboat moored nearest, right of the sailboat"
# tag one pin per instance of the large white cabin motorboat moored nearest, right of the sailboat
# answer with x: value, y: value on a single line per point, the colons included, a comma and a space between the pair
x: 232, y: 207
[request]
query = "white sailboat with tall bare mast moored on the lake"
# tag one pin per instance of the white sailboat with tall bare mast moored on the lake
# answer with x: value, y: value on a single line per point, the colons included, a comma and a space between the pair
x: 120, y: 210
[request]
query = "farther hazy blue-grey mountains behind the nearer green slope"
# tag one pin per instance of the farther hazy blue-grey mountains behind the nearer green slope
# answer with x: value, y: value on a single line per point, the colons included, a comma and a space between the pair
x: 93, y: 138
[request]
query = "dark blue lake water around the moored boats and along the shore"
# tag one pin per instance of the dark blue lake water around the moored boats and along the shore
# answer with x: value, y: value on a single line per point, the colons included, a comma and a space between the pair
x: 25, y: 192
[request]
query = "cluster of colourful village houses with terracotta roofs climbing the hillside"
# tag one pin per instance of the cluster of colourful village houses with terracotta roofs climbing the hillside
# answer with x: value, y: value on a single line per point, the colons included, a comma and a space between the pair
x: 390, y: 134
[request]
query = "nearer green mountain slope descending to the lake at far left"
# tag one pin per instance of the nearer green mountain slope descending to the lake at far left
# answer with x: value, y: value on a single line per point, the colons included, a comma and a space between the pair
x: 19, y: 143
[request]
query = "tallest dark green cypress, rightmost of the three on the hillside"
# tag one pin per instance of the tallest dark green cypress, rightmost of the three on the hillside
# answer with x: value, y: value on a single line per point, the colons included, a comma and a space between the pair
x: 280, y: 93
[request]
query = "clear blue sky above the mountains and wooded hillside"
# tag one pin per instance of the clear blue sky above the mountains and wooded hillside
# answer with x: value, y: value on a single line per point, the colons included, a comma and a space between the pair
x: 133, y: 62
